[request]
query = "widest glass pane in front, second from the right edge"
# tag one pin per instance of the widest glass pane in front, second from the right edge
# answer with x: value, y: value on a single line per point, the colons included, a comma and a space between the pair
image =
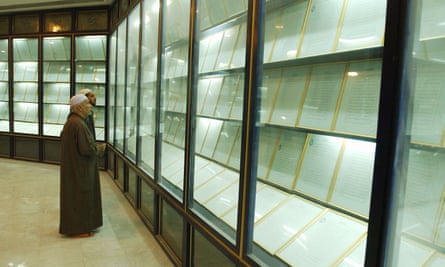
x: 317, y: 127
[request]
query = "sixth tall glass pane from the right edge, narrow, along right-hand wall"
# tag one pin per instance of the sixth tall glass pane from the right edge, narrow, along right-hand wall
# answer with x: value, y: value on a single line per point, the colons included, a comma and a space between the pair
x: 132, y: 83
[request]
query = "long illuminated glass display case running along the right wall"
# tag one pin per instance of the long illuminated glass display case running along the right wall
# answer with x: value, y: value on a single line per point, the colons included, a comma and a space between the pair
x: 316, y: 126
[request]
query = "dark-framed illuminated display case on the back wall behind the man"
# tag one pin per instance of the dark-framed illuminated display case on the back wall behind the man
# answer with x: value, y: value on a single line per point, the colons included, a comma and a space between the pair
x: 45, y: 58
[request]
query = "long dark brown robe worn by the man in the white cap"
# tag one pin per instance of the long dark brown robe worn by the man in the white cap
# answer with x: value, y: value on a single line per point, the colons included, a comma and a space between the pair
x: 80, y: 193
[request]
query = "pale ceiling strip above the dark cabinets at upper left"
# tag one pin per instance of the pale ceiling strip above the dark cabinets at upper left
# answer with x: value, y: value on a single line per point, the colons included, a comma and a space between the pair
x: 9, y: 6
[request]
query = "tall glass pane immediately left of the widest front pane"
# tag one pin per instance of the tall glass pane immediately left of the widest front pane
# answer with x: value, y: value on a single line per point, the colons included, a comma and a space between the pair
x: 218, y: 114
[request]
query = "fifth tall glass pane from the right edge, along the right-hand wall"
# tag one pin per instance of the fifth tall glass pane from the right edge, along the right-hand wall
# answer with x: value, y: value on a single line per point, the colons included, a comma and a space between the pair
x: 149, y: 61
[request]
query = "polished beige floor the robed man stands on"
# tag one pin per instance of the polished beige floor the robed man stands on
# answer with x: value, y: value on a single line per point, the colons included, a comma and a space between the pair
x: 29, y: 218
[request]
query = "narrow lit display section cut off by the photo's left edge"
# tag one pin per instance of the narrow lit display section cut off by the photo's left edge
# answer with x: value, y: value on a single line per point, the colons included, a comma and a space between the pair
x: 4, y: 86
